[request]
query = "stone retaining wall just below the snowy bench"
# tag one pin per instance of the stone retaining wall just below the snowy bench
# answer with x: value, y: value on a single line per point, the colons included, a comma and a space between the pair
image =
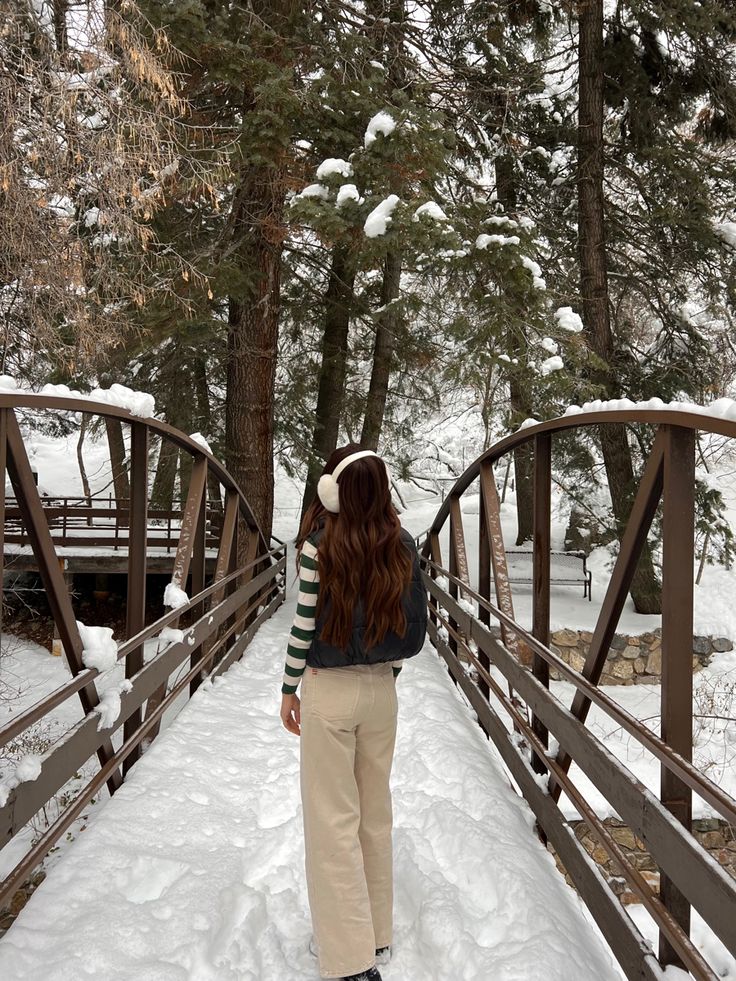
x: 631, y: 659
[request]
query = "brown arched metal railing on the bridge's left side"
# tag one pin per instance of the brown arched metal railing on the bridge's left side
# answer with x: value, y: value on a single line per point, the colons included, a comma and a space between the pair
x: 218, y: 622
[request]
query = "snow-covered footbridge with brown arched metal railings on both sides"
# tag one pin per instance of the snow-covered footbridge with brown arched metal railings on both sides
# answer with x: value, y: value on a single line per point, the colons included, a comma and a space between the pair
x: 194, y: 869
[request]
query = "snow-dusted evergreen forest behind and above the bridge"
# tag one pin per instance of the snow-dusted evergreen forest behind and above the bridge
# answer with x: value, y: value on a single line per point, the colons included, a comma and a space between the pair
x: 297, y: 224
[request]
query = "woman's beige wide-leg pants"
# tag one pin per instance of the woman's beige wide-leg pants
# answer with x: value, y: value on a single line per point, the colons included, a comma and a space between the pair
x: 348, y: 731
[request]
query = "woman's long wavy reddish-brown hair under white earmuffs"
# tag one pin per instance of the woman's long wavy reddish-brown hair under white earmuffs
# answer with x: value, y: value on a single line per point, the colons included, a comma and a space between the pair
x: 361, y: 555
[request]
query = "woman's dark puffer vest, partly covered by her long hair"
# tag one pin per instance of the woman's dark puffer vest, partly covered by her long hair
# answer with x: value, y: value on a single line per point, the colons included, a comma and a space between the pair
x: 393, y: 647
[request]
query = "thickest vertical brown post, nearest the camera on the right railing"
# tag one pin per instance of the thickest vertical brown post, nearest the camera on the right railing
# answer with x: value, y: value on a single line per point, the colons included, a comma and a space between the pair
x: 678, y: 549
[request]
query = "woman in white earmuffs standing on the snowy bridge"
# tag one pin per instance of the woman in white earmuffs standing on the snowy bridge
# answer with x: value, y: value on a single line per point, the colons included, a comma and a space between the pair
x: 361, y: 610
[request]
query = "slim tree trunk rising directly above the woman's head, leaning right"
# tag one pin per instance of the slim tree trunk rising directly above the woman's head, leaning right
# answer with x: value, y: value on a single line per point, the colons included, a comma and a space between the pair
x: 386, y: 330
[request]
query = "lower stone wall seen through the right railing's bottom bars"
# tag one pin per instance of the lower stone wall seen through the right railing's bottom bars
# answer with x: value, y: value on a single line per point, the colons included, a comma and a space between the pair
x: 718, y: 837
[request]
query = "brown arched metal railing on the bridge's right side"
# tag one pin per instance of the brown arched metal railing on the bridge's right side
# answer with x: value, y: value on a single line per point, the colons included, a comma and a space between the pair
x: 689, y: 876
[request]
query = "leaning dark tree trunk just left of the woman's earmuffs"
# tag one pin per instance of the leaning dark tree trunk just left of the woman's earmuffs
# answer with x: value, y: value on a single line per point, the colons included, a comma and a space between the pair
x: 331, y: 393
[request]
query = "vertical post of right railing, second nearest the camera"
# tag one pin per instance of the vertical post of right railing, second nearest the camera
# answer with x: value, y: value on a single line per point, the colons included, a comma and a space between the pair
x: 541, y: 599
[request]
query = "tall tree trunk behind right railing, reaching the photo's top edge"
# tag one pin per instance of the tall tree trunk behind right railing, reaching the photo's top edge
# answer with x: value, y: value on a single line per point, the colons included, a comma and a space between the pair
x: 645, y: 590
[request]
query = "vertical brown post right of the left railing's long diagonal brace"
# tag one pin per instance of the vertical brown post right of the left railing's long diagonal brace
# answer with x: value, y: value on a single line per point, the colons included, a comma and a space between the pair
x: 137, y: 548
